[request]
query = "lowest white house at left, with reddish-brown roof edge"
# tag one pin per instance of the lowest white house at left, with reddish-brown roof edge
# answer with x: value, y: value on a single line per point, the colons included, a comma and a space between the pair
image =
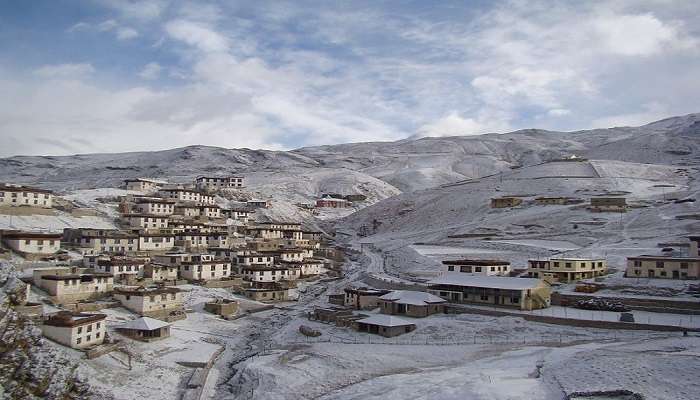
x: 75, y: 330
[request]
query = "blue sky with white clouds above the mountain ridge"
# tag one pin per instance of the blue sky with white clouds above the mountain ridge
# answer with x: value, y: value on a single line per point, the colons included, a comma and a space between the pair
x: 117, y: 75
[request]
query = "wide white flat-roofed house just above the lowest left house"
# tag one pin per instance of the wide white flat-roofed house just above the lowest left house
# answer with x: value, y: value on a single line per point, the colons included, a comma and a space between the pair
x: 74, y: 287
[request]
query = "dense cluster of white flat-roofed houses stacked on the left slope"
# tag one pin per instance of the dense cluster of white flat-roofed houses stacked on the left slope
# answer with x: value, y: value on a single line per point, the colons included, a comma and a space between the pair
x: 168, y: 235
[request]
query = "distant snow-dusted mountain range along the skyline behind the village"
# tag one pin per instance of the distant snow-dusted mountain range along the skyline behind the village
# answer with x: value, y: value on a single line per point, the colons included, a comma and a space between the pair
x: 379, y: 169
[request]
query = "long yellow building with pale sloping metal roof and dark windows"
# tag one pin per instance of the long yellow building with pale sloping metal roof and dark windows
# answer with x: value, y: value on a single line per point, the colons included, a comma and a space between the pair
x: 522, y: 293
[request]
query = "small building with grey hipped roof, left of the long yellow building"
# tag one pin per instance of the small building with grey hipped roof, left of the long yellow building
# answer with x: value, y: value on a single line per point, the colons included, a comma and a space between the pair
x: 411, y: 303
